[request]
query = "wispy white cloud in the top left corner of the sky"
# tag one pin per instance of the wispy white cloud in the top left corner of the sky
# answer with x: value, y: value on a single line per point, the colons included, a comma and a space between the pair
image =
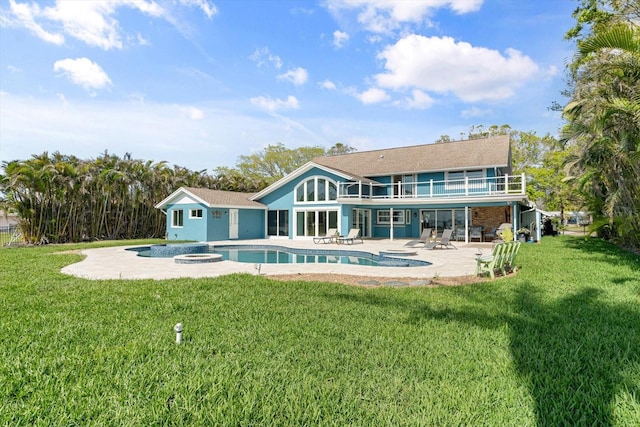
x: 92, y: 22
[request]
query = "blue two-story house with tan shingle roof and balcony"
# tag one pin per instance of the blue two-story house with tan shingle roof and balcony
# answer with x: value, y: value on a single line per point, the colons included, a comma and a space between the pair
x: 389, y: 193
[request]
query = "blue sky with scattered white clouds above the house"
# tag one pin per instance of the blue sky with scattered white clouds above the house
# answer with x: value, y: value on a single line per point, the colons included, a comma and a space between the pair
x: 198, y: 83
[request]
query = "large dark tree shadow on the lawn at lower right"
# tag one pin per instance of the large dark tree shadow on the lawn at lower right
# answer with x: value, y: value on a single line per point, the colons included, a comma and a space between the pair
x: 573, y: 353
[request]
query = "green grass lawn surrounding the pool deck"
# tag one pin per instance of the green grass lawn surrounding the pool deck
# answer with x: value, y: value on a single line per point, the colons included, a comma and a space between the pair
x: 557, y: 344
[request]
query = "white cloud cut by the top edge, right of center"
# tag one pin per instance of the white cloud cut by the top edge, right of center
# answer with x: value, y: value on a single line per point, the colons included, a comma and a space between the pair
x: 384, y: 16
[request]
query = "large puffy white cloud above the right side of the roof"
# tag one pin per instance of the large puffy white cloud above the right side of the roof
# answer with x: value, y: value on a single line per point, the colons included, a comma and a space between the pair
x: 442, y: 65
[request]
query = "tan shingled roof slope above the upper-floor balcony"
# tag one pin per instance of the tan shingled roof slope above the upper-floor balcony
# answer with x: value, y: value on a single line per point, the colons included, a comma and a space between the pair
x: 468, y: 154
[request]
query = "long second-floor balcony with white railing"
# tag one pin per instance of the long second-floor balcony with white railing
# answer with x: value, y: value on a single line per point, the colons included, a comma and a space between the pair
x: 494, y: 187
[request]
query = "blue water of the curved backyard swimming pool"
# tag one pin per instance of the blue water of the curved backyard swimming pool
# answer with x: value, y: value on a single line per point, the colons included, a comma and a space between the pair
x: 271, y: 254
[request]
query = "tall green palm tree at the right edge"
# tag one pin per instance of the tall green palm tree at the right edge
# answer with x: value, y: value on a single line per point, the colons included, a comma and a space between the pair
x: 603, y: 115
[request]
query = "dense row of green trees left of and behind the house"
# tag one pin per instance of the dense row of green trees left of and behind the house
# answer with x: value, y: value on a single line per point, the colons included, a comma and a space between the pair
x: 60, y: 198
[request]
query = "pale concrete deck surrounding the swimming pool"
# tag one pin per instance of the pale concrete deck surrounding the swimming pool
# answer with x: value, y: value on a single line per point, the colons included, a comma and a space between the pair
x: 119, y: 263
